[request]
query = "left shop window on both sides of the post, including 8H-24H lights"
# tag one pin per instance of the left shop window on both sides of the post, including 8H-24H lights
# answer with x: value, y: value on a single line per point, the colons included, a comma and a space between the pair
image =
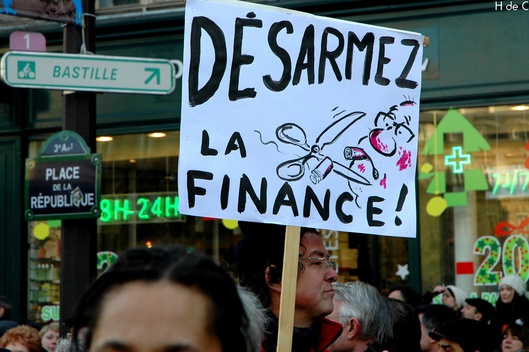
x: 139, y: 207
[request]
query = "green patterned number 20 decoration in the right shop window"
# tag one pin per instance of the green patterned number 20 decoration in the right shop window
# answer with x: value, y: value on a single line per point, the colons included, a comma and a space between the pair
x: 513, y: 255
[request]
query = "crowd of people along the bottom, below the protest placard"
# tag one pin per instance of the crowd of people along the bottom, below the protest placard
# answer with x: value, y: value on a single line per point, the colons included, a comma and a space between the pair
x: 167, y: 298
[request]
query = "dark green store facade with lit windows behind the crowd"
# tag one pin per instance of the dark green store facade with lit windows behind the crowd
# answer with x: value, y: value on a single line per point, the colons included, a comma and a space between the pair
x: 471, y: 179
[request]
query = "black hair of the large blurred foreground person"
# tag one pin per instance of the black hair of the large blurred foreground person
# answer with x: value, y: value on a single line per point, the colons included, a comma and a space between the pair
x: 228, y: 319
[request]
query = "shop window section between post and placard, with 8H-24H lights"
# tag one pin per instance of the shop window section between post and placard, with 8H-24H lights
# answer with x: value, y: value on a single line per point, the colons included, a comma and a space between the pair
x: 139, y: 205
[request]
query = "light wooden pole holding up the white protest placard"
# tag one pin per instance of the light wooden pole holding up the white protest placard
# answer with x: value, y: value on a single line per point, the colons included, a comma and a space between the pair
x: 288, y: 289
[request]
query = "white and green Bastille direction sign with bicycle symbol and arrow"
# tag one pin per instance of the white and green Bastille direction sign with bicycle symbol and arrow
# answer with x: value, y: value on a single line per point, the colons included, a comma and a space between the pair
x: 93, y: 73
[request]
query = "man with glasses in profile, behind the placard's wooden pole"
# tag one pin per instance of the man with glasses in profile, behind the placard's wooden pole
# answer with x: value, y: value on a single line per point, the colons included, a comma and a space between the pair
x: 259, y: 259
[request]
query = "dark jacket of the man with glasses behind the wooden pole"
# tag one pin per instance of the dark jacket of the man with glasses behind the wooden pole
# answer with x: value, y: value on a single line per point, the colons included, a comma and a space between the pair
x: 314, y: 339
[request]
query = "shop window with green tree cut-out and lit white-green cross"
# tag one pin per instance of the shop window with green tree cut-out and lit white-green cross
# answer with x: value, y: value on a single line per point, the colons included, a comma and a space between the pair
x: 473, y: 197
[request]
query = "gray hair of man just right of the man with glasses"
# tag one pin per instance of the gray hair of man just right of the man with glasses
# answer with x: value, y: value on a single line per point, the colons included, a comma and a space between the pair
x: 363, y: 302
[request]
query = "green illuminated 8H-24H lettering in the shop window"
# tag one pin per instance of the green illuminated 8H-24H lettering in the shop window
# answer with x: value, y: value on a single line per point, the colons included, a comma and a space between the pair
x: 140, y: 207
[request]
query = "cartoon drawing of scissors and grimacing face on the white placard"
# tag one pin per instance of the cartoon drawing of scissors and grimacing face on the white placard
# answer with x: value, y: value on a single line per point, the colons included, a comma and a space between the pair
x: 356, y: 165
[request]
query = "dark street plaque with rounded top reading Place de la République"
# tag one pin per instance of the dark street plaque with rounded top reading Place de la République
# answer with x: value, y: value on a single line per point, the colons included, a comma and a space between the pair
x: 64, y: 181
